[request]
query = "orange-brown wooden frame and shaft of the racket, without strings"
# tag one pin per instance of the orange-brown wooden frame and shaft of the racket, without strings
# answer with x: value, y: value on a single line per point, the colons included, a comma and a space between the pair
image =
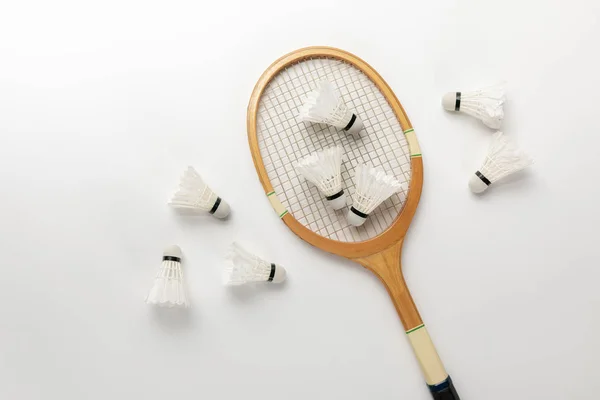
x: 381, y: 254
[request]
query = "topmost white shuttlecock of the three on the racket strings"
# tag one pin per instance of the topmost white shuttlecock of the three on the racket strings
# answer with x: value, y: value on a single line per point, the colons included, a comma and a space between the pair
x: 324, y: 106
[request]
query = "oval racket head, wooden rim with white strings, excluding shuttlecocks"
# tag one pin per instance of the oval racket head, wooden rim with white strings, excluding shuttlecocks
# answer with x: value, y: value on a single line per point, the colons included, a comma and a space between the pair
x: 282, y: 89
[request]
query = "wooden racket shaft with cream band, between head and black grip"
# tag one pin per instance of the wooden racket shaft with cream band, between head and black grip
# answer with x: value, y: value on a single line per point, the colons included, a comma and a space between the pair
x: 386, y: 265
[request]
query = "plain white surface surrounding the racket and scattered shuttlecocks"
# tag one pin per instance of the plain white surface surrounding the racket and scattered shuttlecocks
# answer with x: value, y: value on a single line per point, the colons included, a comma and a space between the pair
x: 102, y: 106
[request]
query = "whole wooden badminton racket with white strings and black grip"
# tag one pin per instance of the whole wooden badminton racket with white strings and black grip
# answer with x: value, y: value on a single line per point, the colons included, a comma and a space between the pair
x: 278, y: 139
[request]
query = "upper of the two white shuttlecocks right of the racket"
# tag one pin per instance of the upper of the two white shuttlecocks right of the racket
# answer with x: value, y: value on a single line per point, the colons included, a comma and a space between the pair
x: 484, y: 104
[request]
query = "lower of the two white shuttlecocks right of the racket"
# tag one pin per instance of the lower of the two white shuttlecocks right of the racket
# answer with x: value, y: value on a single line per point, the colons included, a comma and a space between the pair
x: 503, y: 158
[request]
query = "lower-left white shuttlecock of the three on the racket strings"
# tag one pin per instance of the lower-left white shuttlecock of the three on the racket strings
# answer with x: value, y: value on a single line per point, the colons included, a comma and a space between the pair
x: 324, y: 170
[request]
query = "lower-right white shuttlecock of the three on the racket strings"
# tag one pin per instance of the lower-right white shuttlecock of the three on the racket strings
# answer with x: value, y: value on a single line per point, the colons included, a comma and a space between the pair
x: 373, y: 187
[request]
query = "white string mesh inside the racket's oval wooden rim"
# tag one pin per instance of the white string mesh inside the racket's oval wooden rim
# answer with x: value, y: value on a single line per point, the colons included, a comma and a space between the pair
x: 284, y: 139
